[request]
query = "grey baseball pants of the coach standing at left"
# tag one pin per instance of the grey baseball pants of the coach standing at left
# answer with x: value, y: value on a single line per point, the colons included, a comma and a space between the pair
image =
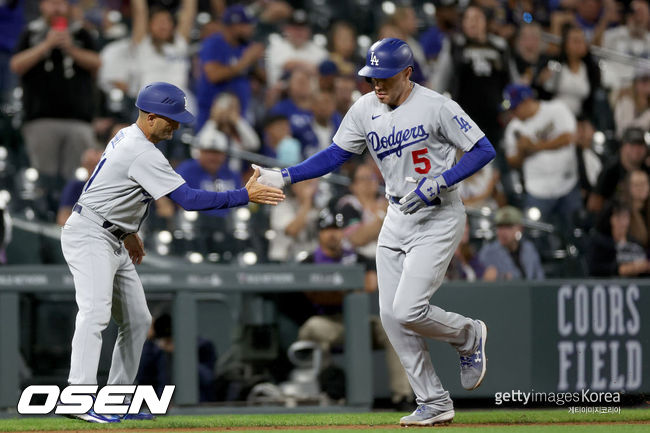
x: 106, y: 284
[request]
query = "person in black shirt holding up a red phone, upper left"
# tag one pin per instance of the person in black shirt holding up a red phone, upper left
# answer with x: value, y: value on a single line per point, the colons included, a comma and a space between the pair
x: 56, y: 60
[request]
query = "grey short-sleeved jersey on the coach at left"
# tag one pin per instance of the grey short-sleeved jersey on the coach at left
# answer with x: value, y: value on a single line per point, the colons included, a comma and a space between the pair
x: 131, y: 172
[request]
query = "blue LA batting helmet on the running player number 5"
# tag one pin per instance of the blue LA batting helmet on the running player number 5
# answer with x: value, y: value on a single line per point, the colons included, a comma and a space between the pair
x: 386, y: 58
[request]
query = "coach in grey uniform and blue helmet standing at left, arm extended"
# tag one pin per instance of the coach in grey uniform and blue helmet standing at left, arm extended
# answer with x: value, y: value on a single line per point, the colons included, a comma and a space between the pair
x: 100, y: 241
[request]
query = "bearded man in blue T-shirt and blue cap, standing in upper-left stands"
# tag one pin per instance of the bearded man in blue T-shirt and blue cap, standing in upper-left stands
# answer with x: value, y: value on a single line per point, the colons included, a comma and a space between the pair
x: 226, y: 59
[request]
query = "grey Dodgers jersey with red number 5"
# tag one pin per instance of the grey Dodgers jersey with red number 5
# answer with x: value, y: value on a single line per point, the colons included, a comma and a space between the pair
x: 418, y: 138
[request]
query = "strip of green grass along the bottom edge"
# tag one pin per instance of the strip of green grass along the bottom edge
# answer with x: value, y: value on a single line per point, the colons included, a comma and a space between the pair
x: 212, y: 422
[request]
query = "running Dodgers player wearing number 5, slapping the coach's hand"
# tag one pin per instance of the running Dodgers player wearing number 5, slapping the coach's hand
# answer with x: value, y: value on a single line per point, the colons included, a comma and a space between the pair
x: 413, y: 134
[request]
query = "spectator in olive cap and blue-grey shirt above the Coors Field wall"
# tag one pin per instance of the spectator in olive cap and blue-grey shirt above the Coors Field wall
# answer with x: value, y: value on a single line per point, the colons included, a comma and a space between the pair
x: 513, y: 256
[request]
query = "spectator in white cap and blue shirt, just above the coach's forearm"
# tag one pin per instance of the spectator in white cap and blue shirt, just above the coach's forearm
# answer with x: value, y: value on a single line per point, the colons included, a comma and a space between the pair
x: 208, y: 170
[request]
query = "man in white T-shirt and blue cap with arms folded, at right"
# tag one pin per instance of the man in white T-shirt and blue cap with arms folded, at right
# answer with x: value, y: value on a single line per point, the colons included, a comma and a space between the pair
x: 539, y: 140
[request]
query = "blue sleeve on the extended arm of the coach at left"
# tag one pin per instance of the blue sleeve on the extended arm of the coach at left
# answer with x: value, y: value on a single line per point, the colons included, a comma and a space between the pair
x: 198, y: 199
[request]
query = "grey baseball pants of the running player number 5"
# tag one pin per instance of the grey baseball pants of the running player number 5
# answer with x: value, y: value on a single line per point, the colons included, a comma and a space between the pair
x: 413, y: 254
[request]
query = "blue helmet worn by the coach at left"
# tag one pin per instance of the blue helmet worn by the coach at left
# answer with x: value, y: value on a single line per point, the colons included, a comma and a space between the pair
x: 166, y: 100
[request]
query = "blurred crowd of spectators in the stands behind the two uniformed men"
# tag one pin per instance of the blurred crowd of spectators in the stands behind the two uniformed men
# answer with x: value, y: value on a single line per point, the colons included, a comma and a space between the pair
x: 560, y: 87
